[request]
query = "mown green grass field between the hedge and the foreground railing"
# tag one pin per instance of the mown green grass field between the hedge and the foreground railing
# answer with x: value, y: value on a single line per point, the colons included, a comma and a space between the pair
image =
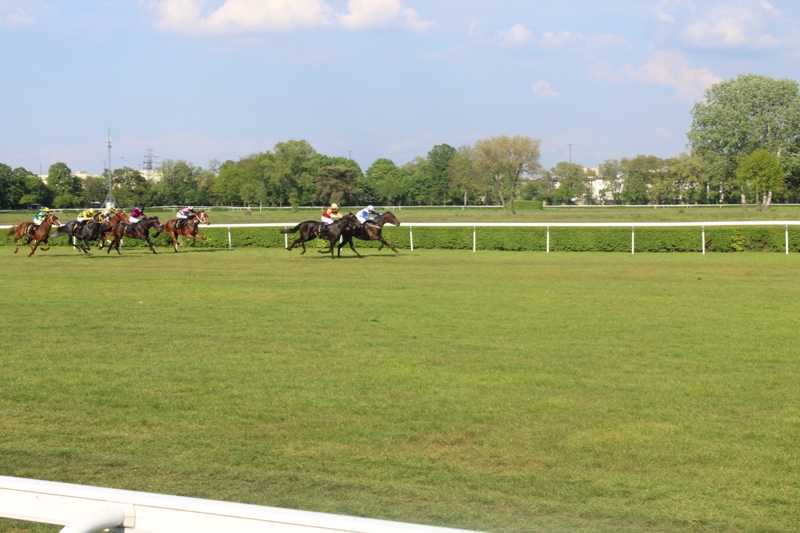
x: 498, y: 391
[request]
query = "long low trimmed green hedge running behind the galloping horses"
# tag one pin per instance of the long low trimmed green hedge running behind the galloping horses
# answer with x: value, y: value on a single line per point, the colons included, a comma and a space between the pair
x: 757, y: 239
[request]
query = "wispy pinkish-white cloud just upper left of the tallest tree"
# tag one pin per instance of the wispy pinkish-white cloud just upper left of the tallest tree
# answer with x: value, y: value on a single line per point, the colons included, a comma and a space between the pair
x: 667, y: 68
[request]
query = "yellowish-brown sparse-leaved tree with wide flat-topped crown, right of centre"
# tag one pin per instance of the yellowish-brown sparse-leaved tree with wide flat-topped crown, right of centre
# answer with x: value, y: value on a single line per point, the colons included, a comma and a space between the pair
x: 505, y: 160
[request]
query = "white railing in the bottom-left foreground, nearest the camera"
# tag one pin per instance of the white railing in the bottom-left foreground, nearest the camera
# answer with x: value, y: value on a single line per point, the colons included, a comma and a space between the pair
x: 85, y: 509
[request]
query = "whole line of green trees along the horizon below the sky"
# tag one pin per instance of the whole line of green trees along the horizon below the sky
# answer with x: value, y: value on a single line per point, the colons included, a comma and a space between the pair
x: 744, y: 147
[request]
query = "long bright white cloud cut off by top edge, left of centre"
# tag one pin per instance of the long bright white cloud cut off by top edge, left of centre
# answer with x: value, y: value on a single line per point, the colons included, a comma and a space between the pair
x: 273, y: 15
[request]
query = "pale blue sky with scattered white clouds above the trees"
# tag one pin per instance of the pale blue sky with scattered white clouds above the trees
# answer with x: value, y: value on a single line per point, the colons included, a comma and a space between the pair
x: 205, y: 79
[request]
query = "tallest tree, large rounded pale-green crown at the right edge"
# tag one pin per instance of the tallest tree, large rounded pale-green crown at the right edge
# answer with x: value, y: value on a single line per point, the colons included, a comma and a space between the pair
x: 742, y: 115
